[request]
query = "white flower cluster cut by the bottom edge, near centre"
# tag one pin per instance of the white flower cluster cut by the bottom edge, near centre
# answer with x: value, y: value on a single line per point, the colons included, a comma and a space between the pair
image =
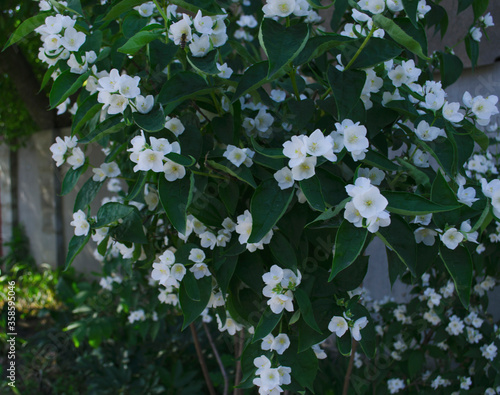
x: 270, y: 379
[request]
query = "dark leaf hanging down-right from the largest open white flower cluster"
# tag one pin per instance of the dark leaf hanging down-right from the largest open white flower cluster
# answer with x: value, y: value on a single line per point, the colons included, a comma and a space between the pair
x: 399, y: 237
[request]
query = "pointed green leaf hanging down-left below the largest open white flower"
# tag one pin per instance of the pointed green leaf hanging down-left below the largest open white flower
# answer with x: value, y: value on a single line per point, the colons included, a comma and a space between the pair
x: 349, y: 243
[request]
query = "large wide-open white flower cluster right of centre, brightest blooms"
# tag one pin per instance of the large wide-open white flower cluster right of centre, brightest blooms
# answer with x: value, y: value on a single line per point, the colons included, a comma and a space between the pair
x: 367, y: 204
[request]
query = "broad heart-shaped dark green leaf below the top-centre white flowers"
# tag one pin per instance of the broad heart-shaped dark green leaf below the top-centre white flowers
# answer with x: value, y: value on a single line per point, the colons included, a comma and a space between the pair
x: 281, y: 44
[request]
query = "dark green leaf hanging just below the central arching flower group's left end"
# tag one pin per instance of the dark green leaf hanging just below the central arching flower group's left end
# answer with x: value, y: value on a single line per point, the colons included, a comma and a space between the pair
x: 269, y: 203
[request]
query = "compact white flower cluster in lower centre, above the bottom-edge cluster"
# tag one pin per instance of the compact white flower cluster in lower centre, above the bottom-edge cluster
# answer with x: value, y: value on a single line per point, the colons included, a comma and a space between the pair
x: 280, y: 284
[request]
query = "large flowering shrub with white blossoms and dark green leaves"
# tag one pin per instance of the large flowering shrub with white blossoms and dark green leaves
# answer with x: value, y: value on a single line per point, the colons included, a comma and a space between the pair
x: 254, y: 155
